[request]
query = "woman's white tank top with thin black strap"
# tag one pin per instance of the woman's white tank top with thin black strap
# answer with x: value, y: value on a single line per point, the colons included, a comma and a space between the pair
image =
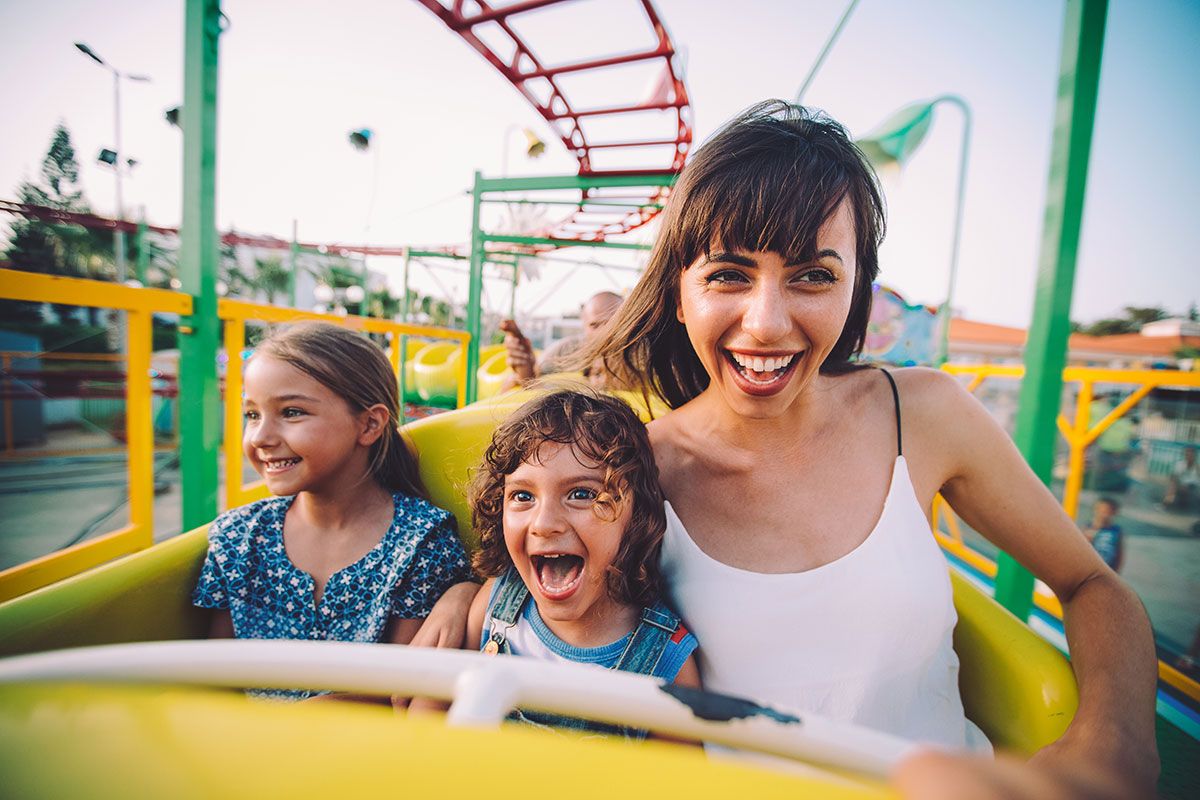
x: 867, y: 639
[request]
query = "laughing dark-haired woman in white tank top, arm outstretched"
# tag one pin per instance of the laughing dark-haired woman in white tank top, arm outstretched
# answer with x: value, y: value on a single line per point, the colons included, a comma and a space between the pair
x: 799, y: 483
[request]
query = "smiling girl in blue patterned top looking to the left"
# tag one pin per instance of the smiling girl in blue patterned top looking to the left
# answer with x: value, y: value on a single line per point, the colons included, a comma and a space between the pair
x: 350, y: 549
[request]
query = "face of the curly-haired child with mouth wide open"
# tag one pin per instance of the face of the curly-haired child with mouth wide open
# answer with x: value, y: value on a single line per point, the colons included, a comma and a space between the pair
x: 561, y: 543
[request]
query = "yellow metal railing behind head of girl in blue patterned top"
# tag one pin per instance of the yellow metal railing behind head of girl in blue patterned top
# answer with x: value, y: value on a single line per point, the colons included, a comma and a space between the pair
x: 237, y: 314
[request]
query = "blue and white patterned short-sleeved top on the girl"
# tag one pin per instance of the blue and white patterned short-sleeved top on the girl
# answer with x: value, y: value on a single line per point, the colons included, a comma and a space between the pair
x: 248, y: 572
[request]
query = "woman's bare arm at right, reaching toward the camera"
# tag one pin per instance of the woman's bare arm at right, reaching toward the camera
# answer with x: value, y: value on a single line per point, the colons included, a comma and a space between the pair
x: 987, y: 482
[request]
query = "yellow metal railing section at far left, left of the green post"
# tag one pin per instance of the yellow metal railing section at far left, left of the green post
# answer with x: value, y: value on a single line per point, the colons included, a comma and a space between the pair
x: 140, y: 306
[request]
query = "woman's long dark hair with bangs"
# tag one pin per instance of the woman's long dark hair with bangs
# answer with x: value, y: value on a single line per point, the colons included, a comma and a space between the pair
x: 766, y: 182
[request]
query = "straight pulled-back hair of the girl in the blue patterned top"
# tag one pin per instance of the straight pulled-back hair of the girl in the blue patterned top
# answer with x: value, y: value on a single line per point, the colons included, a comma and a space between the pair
x: 355, y: 369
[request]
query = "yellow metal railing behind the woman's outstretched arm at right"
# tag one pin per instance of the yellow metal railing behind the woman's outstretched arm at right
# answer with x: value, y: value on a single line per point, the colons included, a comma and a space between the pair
x: 1079, y: 435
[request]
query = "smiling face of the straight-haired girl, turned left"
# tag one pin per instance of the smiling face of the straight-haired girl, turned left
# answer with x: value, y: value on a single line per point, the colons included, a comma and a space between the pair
x: 301, y: 436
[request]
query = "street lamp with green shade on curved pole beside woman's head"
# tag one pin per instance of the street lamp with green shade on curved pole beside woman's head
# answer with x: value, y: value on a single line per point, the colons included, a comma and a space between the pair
x: 893, y: 143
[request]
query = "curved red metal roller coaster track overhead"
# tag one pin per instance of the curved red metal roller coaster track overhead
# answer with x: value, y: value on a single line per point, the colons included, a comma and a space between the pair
x: 524, y: 67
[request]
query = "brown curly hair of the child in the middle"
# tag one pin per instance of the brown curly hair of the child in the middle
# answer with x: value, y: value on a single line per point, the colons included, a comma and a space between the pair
x: 603, y: 430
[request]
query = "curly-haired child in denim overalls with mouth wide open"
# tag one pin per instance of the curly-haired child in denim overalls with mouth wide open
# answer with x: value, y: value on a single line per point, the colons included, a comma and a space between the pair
x: 571, y: 519
